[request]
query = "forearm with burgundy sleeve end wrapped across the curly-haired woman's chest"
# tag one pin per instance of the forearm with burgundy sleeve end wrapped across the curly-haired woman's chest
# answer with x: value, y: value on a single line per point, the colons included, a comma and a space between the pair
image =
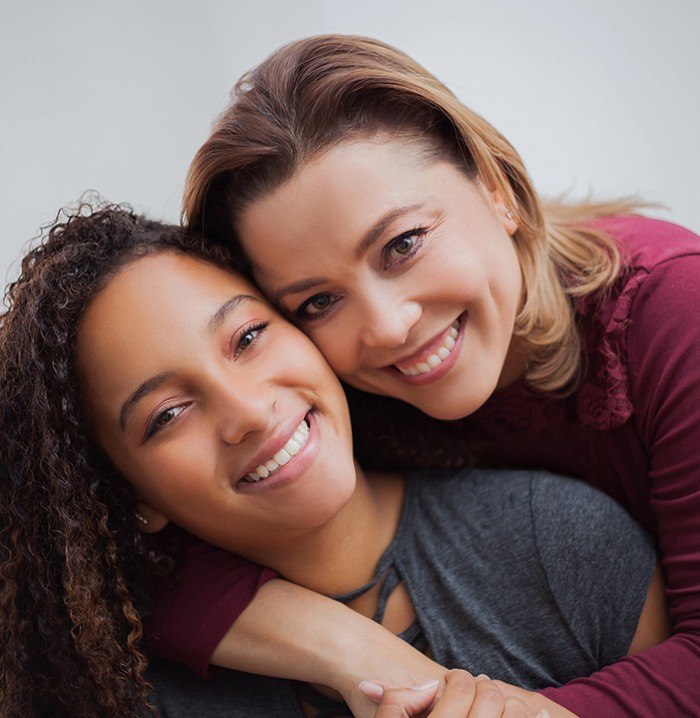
x: 234, y: 614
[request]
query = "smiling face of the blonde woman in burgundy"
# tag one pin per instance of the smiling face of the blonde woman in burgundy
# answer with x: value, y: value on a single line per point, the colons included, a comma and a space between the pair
x: 401, y: 269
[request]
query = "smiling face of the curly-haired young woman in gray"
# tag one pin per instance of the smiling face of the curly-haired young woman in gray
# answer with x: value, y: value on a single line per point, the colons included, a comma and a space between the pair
x: 196, y: 389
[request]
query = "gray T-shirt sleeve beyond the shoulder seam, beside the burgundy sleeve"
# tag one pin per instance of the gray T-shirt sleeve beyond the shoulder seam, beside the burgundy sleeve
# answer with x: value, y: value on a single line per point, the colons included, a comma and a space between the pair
x: 598, y: 563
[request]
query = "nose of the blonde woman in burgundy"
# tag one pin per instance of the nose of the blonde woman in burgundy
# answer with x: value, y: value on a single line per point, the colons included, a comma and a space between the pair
x: 387, y: 320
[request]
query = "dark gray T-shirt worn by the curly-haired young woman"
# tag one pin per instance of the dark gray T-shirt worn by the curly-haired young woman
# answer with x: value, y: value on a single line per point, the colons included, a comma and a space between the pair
x: 528, y: 577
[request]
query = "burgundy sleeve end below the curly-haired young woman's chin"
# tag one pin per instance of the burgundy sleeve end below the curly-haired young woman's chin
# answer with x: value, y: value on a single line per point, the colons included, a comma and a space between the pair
x: 189, y: 620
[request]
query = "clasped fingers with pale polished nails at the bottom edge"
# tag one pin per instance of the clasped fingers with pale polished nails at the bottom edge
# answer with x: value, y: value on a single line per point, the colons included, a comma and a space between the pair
x: 464, y: 697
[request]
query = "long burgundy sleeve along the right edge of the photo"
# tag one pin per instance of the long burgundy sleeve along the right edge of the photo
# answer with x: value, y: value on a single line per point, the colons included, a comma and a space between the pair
x: 663, y: 351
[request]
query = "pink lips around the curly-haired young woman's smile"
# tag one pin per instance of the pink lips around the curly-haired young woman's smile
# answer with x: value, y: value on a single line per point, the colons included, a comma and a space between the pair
x: 295, y: 468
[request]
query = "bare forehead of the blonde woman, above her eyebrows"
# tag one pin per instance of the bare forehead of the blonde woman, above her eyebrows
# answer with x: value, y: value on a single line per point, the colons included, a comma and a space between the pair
x: 338, y: 194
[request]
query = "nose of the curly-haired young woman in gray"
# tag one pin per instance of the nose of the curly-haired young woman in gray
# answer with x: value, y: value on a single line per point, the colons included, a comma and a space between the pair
x: 244, y: 409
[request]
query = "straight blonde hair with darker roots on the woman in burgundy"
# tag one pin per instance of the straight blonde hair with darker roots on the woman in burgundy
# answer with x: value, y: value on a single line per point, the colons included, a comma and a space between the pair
x: 316, y: 93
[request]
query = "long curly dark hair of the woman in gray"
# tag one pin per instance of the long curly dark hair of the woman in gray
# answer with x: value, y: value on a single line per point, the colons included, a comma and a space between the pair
x: 74, y: 569
